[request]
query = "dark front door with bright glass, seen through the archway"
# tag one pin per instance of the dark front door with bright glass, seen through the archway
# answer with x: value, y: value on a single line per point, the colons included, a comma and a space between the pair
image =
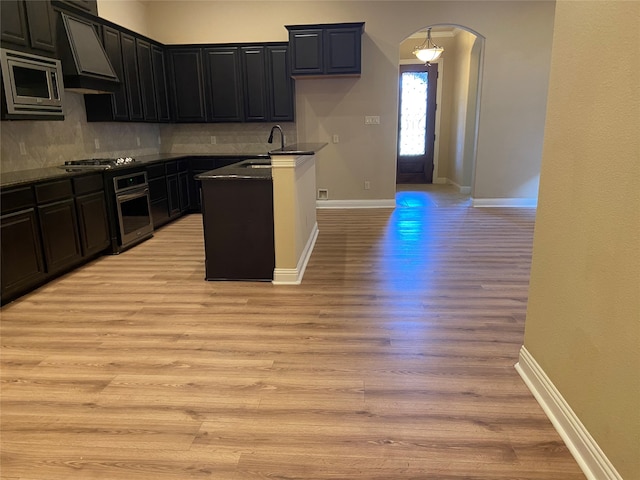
x: 416, y: 123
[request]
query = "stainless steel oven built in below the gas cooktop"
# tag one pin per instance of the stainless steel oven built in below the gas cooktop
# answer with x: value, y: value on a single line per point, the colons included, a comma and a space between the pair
x: 133, y: 208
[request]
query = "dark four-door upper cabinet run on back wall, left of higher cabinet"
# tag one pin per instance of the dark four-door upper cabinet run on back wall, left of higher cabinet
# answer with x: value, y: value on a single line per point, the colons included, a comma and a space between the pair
x: 231, y: 83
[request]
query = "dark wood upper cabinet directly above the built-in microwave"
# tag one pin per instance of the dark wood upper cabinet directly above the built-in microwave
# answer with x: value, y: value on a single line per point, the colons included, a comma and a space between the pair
x: 28, y: 26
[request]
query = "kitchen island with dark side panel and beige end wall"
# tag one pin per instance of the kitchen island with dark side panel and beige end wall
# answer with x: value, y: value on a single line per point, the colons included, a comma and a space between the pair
x: 280, y: 192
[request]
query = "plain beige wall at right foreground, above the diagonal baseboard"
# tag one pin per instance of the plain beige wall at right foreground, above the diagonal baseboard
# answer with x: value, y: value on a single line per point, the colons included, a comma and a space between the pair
x: 583, y: 318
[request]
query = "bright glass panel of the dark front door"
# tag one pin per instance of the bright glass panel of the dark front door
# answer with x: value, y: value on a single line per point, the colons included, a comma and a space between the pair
x: 413, y: 113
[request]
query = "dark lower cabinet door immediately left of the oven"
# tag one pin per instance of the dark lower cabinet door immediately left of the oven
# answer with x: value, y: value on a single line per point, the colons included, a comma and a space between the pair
x: 92, y: 219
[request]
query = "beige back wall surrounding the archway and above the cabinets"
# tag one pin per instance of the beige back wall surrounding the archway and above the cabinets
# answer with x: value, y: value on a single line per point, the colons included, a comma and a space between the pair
x: 513, y: 96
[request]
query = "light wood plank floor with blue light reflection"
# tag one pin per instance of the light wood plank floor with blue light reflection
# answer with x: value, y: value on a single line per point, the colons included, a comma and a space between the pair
x: 393, y: 360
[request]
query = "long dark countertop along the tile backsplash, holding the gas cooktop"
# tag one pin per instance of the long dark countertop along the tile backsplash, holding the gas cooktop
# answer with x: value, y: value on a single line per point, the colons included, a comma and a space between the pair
x: 12, y: 179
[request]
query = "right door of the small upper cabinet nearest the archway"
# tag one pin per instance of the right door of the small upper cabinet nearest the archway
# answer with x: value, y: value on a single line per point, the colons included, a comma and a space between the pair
x: 342, y: 50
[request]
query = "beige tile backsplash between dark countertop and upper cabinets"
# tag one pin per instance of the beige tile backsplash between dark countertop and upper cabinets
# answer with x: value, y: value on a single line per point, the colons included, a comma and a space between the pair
x: 30, y: 144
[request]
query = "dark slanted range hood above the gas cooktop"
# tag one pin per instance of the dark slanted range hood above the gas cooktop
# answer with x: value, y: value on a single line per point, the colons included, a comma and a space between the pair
x: 85, y: 66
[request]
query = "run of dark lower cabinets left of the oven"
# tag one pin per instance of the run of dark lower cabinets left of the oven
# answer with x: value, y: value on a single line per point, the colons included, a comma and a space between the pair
x: 49, y: 228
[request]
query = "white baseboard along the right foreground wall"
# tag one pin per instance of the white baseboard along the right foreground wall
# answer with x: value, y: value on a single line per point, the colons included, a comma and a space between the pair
x: 590, y: 458
